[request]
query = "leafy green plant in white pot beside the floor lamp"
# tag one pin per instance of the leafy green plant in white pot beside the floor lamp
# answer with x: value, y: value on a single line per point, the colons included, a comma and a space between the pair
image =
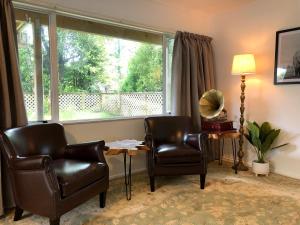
x: 261, y: 138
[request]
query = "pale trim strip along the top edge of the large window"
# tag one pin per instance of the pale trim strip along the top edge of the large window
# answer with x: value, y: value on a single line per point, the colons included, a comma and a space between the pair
x: 81, y: 15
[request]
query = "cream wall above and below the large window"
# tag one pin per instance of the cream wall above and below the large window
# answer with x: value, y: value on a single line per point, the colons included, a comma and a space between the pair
x: 142, y: 13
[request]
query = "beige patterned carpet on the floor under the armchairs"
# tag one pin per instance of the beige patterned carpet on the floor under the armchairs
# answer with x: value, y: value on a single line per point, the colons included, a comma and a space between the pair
x: 228, y: 199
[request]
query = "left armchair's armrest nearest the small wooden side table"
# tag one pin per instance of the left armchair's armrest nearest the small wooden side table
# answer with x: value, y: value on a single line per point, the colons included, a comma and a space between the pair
x: 90, y: 151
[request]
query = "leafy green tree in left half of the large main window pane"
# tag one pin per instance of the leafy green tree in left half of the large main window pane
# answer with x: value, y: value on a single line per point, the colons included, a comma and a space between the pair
x: 81, y: 59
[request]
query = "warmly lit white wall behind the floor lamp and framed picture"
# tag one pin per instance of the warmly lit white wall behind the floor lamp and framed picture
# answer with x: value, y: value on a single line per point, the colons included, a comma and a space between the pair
x: 252, y: 29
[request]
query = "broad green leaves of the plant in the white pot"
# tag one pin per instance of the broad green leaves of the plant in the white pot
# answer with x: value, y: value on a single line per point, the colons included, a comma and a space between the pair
x: 261, y: 137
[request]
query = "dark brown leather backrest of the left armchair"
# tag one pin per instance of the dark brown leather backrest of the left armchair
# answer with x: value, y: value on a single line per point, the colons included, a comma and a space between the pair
x: 39, y: 139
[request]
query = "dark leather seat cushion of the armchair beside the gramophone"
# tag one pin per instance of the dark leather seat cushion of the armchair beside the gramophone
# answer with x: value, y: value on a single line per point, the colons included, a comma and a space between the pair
x: 174, y: 153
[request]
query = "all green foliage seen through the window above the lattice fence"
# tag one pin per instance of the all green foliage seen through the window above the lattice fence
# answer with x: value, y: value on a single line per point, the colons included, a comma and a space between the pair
x: 82, y: 59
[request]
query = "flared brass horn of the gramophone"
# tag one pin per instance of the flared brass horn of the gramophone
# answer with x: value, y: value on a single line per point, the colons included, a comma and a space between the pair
x: 211, y: 104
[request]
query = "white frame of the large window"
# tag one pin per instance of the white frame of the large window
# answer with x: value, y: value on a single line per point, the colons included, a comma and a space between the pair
x: 52, y: 13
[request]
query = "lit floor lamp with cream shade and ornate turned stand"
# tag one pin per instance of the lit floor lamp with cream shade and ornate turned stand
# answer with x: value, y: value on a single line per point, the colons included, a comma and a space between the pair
x: 242, y: 65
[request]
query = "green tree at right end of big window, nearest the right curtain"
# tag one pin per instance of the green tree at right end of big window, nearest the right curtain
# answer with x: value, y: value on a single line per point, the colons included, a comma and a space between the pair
x: 144, y: 70
